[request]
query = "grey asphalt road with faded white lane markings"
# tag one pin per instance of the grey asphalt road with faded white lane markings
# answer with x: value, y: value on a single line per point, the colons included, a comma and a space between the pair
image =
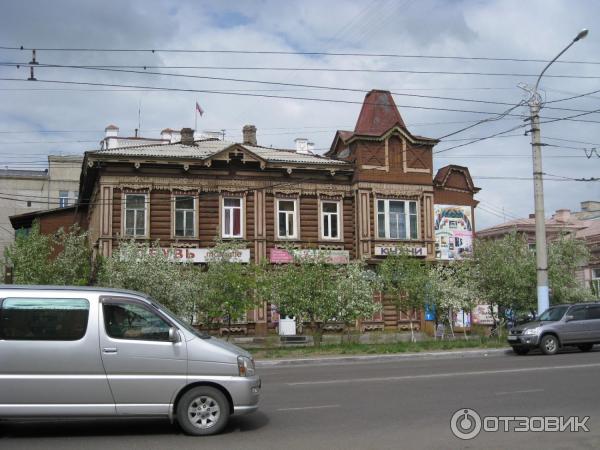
x: 372, y: 404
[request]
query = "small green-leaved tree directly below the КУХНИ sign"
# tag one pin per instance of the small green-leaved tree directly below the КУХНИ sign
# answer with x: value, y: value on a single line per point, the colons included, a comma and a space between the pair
x: 405, y: 279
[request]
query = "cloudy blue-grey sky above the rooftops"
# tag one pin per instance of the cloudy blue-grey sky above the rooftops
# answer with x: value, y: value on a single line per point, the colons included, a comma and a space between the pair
x: 39, y: 118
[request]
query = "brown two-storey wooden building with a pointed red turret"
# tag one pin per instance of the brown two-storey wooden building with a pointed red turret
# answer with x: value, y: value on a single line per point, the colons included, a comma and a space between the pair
x: 372, y: 194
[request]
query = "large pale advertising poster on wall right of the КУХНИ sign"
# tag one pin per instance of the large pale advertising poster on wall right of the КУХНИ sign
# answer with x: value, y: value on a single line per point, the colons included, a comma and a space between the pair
x: 453, y: 231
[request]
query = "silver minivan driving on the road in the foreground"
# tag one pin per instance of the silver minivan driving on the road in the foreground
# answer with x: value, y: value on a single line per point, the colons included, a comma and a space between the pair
x: 72, y: 351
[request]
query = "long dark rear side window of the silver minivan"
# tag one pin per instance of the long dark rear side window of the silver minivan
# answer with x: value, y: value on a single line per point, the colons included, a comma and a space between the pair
x: 43, y: 319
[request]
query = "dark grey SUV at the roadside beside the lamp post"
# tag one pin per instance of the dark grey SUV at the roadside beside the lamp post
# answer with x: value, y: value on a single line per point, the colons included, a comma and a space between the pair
x: 560, y: 326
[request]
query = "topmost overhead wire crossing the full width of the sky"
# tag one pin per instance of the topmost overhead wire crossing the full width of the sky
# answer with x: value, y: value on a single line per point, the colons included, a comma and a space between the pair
x: 281, y: 52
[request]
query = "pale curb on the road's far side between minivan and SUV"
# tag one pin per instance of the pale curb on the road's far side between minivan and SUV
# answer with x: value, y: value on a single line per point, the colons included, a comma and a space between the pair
x: 328, y: 360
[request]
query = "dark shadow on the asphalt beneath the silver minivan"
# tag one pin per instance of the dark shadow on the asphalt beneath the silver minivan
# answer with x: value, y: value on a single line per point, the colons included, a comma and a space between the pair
x: 20, y: 428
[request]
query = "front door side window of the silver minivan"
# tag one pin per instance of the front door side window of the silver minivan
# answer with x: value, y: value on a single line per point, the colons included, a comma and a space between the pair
x: 132, y: 321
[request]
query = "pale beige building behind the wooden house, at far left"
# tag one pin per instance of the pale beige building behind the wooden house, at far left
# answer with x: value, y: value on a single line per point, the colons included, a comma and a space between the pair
x: 24, y: 191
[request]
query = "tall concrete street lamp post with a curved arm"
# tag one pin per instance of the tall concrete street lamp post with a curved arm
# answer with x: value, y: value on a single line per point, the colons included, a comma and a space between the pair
x: 541, y: 250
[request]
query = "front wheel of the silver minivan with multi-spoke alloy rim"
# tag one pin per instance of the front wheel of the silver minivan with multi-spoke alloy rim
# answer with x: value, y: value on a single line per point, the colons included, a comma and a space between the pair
x: 202, y: 411
